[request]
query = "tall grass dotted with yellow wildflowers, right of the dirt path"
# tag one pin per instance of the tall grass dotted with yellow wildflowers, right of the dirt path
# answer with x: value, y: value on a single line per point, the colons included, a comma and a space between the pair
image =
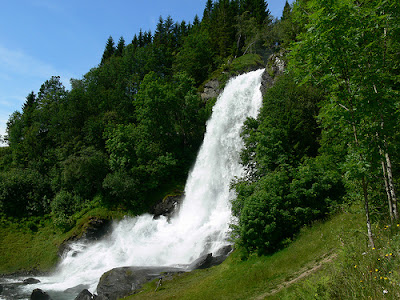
x: 359, y: 272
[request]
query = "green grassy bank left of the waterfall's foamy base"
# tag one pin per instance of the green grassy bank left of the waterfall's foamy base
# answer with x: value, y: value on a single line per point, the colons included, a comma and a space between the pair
x: 32, y: 244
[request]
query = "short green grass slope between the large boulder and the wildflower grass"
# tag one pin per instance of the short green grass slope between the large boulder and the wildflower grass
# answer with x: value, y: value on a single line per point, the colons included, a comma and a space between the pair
x: 257, y: 277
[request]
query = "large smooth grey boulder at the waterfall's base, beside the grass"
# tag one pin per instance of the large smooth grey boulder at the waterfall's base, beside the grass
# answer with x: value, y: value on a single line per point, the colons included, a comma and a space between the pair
x: 121, y: 282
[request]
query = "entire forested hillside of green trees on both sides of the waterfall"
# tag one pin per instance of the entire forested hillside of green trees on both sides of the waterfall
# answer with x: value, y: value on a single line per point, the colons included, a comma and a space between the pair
x: 127, y: 132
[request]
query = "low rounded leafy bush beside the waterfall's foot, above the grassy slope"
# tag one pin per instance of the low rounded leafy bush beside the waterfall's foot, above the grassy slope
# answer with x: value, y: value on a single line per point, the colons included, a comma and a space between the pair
x: 272, y: 210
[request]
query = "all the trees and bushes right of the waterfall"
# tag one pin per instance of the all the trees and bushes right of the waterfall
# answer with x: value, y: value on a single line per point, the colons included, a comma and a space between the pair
x: 328, y: 130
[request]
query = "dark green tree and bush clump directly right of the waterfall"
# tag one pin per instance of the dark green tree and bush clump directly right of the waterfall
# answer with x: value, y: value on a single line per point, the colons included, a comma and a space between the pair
x: 287, y: 185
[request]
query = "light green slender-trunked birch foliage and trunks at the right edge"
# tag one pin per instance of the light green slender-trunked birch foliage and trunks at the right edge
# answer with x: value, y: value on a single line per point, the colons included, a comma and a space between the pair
x: 348, y: 50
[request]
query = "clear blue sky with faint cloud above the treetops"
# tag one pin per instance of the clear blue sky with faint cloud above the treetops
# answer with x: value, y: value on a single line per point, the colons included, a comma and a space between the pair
x: 42, y: 38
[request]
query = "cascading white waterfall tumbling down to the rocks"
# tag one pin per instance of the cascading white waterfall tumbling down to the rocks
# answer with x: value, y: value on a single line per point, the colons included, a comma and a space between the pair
x: 203, y: 221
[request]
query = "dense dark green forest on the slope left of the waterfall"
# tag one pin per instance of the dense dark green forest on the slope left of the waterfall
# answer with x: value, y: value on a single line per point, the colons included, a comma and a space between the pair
x: 129, y: 130
